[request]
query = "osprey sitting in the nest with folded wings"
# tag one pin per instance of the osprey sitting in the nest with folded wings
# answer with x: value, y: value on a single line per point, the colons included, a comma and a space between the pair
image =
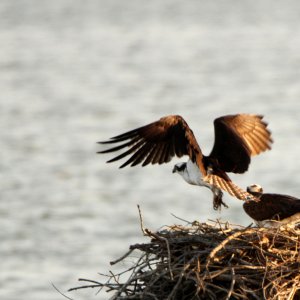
x: 272, y: 209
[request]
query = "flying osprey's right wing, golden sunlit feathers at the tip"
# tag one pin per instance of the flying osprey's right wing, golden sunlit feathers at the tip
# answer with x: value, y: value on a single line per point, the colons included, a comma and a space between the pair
x: 237, y: 138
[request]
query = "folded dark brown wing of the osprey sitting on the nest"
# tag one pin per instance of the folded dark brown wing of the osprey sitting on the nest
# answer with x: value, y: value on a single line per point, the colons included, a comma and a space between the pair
x: 272, y: 207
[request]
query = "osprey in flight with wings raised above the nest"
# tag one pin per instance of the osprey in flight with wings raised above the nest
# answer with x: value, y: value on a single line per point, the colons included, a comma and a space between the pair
x: 237, y: 138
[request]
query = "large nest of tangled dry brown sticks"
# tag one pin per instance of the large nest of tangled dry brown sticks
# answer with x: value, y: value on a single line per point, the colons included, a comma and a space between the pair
x: 210, y: 261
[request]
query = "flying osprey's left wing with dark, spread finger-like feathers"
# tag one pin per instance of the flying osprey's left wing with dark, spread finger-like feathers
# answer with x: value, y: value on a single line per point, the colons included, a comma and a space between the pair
x: 157, y: 142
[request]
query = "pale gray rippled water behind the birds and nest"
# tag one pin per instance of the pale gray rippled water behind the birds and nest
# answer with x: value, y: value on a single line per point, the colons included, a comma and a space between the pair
x: 76, y: 72
